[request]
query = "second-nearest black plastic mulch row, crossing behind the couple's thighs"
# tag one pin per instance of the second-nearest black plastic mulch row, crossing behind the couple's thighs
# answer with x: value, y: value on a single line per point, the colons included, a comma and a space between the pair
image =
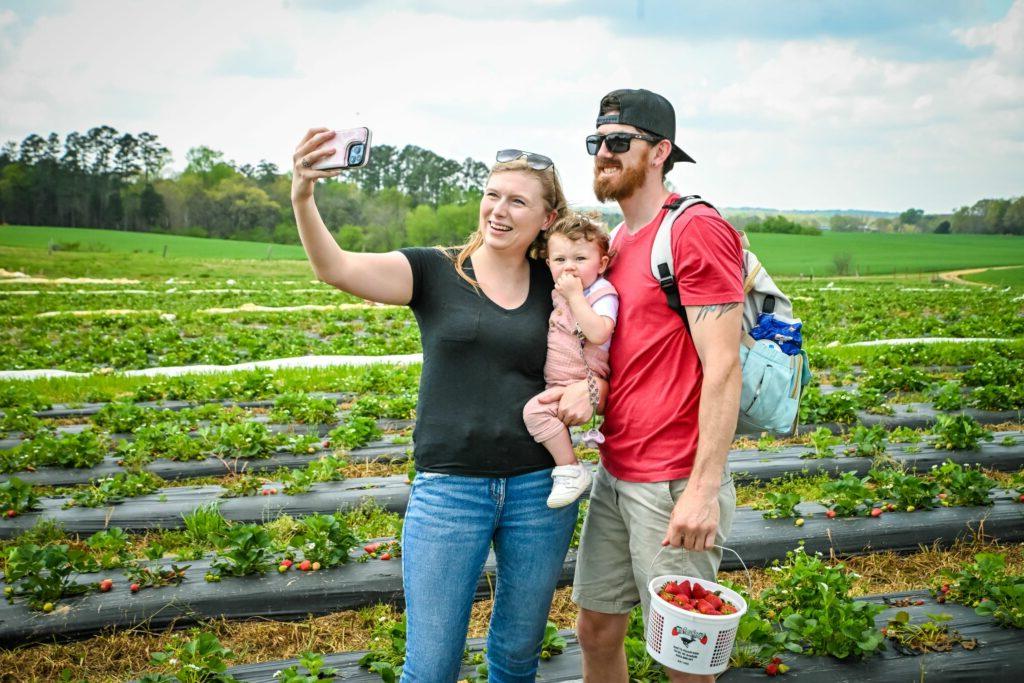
x: 294, y: 595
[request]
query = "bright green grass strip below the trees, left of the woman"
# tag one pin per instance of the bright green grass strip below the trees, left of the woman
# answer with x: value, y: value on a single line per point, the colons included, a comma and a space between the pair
x: 91, y: 240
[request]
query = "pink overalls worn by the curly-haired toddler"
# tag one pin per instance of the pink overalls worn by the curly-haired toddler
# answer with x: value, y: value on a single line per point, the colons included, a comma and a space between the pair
x: 565, y: 365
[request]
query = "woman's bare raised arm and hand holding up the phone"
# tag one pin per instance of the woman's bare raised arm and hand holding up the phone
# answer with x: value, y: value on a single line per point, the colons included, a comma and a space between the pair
x: 385, y: 278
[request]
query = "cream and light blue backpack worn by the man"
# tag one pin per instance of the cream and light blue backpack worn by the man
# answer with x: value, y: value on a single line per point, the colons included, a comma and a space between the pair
x: 774, y: 380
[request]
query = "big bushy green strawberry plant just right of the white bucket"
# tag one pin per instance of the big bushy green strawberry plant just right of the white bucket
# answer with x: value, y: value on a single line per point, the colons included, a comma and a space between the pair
x: 812, y: 601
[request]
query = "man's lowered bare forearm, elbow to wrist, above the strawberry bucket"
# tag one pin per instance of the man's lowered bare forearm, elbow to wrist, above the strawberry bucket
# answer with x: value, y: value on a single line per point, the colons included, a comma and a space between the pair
x: 717, y: 425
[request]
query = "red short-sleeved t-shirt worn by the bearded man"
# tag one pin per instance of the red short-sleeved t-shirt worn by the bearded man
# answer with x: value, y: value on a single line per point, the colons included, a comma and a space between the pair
x: 651, y: 418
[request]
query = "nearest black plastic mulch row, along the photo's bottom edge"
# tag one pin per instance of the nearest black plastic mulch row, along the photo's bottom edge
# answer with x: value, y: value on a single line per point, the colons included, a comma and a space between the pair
x: 996, y: 659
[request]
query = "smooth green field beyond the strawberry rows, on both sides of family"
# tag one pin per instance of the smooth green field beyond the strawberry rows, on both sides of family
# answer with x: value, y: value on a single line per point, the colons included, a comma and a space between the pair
x: 110, y: 252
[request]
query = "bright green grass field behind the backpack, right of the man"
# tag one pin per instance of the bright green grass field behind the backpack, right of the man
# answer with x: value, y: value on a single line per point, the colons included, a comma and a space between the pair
x: 875, y: 254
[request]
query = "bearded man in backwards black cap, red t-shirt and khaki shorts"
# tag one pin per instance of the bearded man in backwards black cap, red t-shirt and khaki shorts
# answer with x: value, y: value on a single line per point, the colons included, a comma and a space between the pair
x: 672, y: 410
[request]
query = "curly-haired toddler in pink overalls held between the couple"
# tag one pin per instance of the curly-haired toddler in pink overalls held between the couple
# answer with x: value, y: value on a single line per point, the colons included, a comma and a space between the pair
x: 585, y: 306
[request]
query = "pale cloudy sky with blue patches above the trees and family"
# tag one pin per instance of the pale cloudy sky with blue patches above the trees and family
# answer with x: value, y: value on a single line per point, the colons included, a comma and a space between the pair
x: 789, y: 105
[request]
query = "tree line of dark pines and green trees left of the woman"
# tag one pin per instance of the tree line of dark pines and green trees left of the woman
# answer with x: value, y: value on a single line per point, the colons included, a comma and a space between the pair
x: 106, y: 179
